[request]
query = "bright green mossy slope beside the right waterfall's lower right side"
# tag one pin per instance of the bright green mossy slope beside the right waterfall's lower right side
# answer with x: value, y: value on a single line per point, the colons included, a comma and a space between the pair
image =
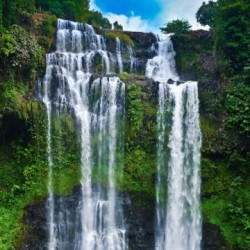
x: 225, y: 196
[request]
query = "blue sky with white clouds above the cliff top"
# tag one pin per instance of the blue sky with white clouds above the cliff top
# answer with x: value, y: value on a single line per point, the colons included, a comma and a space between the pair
x: 147, y: 15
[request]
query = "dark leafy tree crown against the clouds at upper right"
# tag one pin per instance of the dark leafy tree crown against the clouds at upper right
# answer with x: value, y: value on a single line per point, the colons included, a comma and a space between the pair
x: 205, y: 14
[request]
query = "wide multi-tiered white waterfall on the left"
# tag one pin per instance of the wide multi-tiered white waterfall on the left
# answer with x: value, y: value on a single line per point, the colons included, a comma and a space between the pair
x: 93, y: 221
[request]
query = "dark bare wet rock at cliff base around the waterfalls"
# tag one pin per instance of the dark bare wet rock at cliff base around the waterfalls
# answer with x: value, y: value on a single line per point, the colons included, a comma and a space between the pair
x: 139, y: 217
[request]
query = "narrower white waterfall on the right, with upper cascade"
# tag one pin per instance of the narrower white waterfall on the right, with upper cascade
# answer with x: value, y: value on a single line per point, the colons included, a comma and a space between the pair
x: 178, y: 222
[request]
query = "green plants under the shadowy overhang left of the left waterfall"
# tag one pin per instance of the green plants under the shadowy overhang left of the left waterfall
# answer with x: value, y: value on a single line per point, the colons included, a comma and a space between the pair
x: 23, y: 166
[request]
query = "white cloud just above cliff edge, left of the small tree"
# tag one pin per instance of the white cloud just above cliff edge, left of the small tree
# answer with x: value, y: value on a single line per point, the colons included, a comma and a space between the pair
x: 133, y: 23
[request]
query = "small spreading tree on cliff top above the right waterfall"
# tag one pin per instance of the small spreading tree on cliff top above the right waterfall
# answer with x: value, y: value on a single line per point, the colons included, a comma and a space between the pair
x: 178, y: 27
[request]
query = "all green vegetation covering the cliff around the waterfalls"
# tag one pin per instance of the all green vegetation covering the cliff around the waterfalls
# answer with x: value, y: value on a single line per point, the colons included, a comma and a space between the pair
x: 219, y: 59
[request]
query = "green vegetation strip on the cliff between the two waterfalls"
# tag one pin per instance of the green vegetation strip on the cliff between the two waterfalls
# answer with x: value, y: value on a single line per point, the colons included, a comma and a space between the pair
x: 140, y: 138
